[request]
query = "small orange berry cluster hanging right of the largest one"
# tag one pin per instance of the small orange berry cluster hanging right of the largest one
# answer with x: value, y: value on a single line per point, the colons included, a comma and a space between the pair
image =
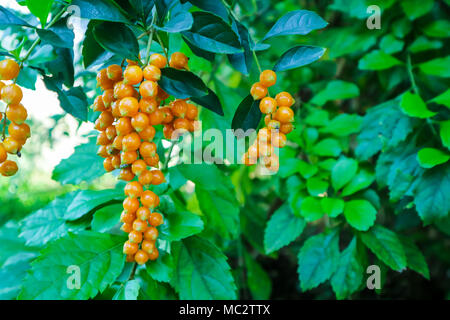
x: 278, y: 122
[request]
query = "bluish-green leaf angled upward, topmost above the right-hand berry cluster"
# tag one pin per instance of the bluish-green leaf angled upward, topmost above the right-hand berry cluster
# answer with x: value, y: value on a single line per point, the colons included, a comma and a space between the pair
x: 296, y: 22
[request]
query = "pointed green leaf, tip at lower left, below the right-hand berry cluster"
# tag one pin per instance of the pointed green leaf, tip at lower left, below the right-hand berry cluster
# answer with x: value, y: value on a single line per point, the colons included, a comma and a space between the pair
x: 282, y: 228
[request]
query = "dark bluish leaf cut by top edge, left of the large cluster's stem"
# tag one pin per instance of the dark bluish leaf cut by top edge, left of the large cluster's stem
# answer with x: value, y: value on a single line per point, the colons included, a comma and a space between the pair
x: 100, y: 10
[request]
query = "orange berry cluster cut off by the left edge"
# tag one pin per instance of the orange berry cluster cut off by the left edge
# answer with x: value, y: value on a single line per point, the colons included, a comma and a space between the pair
x: 18, y: 131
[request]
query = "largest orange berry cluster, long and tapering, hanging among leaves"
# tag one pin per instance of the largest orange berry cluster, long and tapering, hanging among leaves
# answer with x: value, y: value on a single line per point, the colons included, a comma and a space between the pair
x: 131, y: 105
